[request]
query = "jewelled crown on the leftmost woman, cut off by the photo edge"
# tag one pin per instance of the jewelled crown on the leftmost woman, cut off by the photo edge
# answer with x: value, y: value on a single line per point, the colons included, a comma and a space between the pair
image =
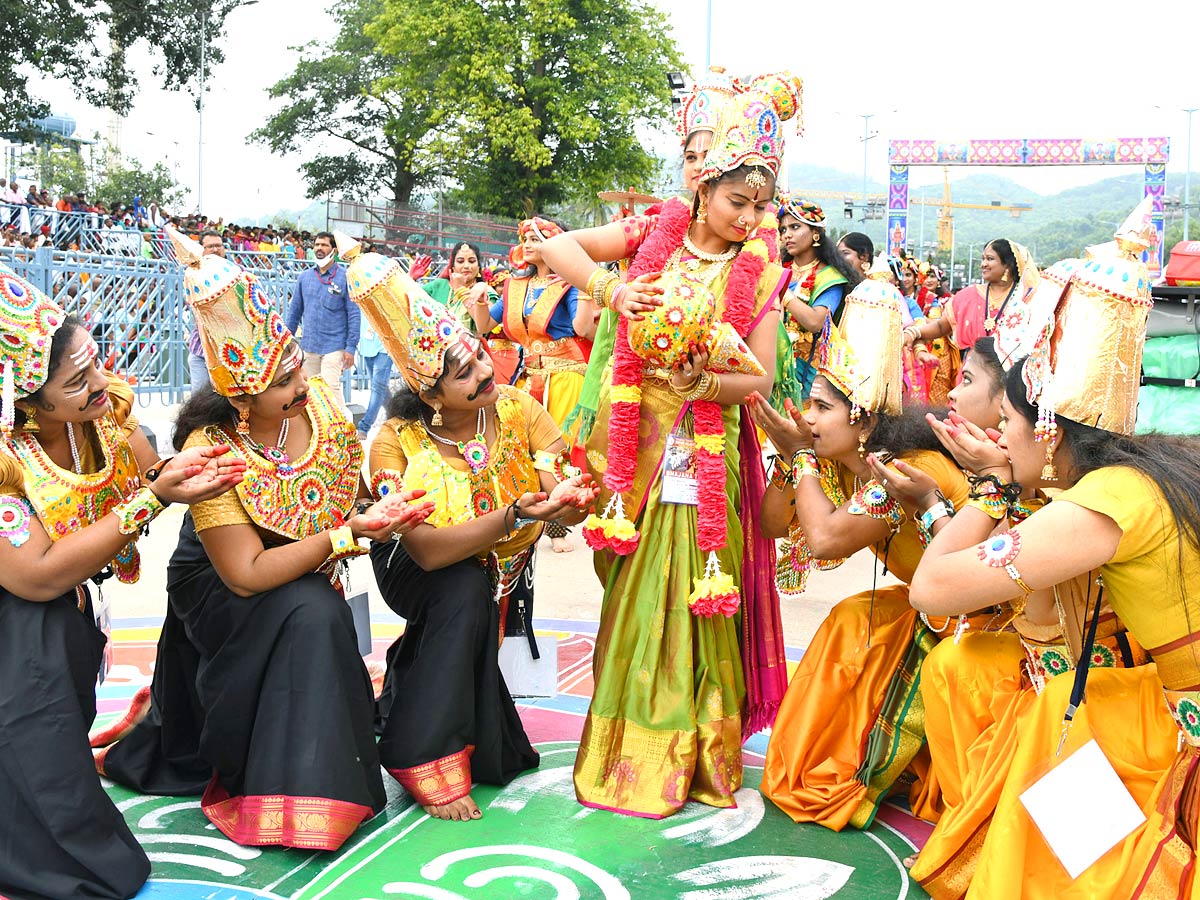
x: 28, y: 323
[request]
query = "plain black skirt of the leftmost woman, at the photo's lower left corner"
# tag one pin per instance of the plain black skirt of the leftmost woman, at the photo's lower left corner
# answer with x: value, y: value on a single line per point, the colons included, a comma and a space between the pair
x: 61, y: 836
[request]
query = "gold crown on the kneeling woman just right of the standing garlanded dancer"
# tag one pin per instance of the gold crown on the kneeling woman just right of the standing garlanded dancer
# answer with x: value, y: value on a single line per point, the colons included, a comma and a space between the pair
x: 862, y: 358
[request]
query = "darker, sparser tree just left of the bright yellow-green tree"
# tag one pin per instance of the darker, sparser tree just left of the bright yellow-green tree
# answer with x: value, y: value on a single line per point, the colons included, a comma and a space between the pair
x: 368, y: 135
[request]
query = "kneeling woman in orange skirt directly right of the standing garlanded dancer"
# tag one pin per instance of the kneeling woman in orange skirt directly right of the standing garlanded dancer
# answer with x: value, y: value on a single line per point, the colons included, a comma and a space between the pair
x: 851, y: 724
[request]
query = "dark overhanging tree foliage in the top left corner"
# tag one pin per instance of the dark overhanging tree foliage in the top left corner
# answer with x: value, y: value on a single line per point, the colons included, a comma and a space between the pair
x: 88, y: 43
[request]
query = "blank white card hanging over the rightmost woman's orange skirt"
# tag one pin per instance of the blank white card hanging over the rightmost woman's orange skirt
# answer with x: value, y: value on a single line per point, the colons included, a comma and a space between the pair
x: 1083, y: 808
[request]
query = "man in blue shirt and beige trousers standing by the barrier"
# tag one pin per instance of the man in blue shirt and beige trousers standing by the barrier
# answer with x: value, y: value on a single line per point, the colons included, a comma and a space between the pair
x: 325, y: 317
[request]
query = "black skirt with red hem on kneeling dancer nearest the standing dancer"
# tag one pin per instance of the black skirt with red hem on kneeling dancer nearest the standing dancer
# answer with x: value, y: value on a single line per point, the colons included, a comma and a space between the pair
x: 445, y: 692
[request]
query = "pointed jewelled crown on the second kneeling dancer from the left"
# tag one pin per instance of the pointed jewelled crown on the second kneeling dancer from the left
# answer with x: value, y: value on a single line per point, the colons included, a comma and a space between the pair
x: 243, y: 337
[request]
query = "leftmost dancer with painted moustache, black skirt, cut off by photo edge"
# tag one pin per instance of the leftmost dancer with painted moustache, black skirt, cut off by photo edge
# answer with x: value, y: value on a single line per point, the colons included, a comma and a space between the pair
x: 79, y: 482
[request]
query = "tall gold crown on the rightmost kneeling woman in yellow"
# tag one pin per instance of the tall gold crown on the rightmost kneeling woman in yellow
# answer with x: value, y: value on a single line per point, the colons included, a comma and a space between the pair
x: 1088, y: 363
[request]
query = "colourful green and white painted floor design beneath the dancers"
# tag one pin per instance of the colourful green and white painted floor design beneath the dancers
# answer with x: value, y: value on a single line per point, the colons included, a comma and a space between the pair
x: 535, y: 842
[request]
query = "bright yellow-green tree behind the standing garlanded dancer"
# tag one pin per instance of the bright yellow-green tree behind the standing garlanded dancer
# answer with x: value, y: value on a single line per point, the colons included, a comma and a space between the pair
x: 539, y: 101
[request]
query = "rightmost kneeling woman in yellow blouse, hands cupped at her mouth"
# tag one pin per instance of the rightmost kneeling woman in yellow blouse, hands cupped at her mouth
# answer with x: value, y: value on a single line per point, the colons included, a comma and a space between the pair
x: 1129, y: 506
